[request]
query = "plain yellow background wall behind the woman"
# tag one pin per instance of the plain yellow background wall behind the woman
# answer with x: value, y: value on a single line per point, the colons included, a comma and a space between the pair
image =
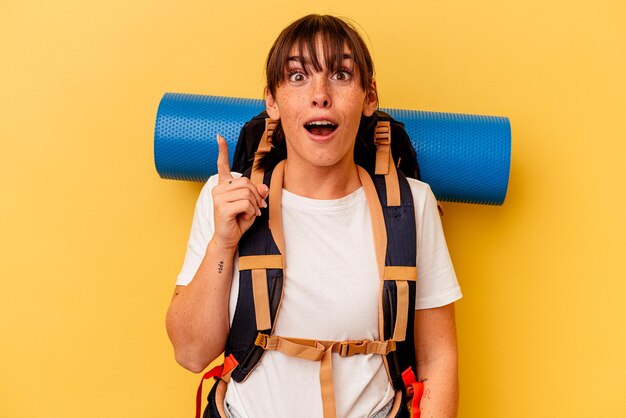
x: 92, y: 238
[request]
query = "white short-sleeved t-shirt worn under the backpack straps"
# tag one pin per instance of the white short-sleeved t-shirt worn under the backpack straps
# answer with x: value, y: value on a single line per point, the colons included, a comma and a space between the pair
x: 330, y: 293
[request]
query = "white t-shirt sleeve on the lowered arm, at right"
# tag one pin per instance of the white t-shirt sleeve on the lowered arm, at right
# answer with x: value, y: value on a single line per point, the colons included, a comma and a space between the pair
x: 437, y: 284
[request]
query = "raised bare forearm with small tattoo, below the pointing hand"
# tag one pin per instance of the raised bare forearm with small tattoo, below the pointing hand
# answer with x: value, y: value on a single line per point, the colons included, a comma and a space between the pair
x: 197, y: 321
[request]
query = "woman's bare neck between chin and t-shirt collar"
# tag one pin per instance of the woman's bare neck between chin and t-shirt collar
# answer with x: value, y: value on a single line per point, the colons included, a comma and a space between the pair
x: 322, y: 183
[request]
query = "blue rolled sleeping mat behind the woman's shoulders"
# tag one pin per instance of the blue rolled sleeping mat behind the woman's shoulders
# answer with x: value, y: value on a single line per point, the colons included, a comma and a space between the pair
x: 464, y: 158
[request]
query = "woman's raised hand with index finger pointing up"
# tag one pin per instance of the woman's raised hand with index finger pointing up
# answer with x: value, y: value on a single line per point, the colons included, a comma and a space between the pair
x: 236, y: 202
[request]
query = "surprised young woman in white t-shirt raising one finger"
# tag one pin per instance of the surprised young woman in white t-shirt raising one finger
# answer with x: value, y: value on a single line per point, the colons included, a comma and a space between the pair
x: 319, y: 85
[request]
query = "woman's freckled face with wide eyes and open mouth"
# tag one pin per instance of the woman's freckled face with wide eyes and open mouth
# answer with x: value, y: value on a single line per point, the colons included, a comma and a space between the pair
x: 320, y: 112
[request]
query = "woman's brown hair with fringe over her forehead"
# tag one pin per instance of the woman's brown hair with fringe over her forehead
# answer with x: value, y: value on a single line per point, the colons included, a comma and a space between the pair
x: 336, y: 34
